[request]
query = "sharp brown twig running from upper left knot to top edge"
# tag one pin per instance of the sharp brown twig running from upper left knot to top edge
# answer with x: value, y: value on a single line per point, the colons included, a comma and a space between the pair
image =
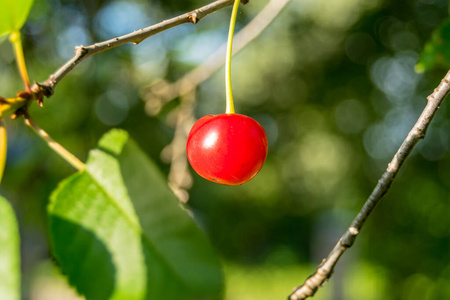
x: 83, y: 52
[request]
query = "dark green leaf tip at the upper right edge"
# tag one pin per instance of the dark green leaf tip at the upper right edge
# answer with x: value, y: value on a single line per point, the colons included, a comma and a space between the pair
x: 437, y: 51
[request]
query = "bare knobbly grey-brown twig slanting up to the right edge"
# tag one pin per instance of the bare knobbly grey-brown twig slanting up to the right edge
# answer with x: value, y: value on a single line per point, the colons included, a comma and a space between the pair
x: 325, y: 269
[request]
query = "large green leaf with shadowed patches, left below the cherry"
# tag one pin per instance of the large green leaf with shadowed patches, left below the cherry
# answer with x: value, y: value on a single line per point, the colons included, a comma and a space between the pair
x: 118, y: 232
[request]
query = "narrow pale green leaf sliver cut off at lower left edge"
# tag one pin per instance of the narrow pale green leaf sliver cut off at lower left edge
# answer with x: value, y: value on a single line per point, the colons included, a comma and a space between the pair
x: 9, y: 253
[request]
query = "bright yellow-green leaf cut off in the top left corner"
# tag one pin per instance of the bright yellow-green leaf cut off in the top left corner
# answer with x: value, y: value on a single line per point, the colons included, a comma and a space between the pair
x: 13, y: 14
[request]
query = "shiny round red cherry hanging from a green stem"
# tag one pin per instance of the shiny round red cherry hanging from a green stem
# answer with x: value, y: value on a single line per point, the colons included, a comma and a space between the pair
x: 227, y: 148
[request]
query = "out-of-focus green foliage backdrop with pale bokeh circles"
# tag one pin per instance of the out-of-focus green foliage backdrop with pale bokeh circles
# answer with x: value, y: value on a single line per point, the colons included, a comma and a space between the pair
x: 333, y: 84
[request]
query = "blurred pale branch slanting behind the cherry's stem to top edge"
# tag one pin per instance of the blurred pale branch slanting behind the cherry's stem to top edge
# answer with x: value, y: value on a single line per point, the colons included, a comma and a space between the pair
x: 166, y: 92
